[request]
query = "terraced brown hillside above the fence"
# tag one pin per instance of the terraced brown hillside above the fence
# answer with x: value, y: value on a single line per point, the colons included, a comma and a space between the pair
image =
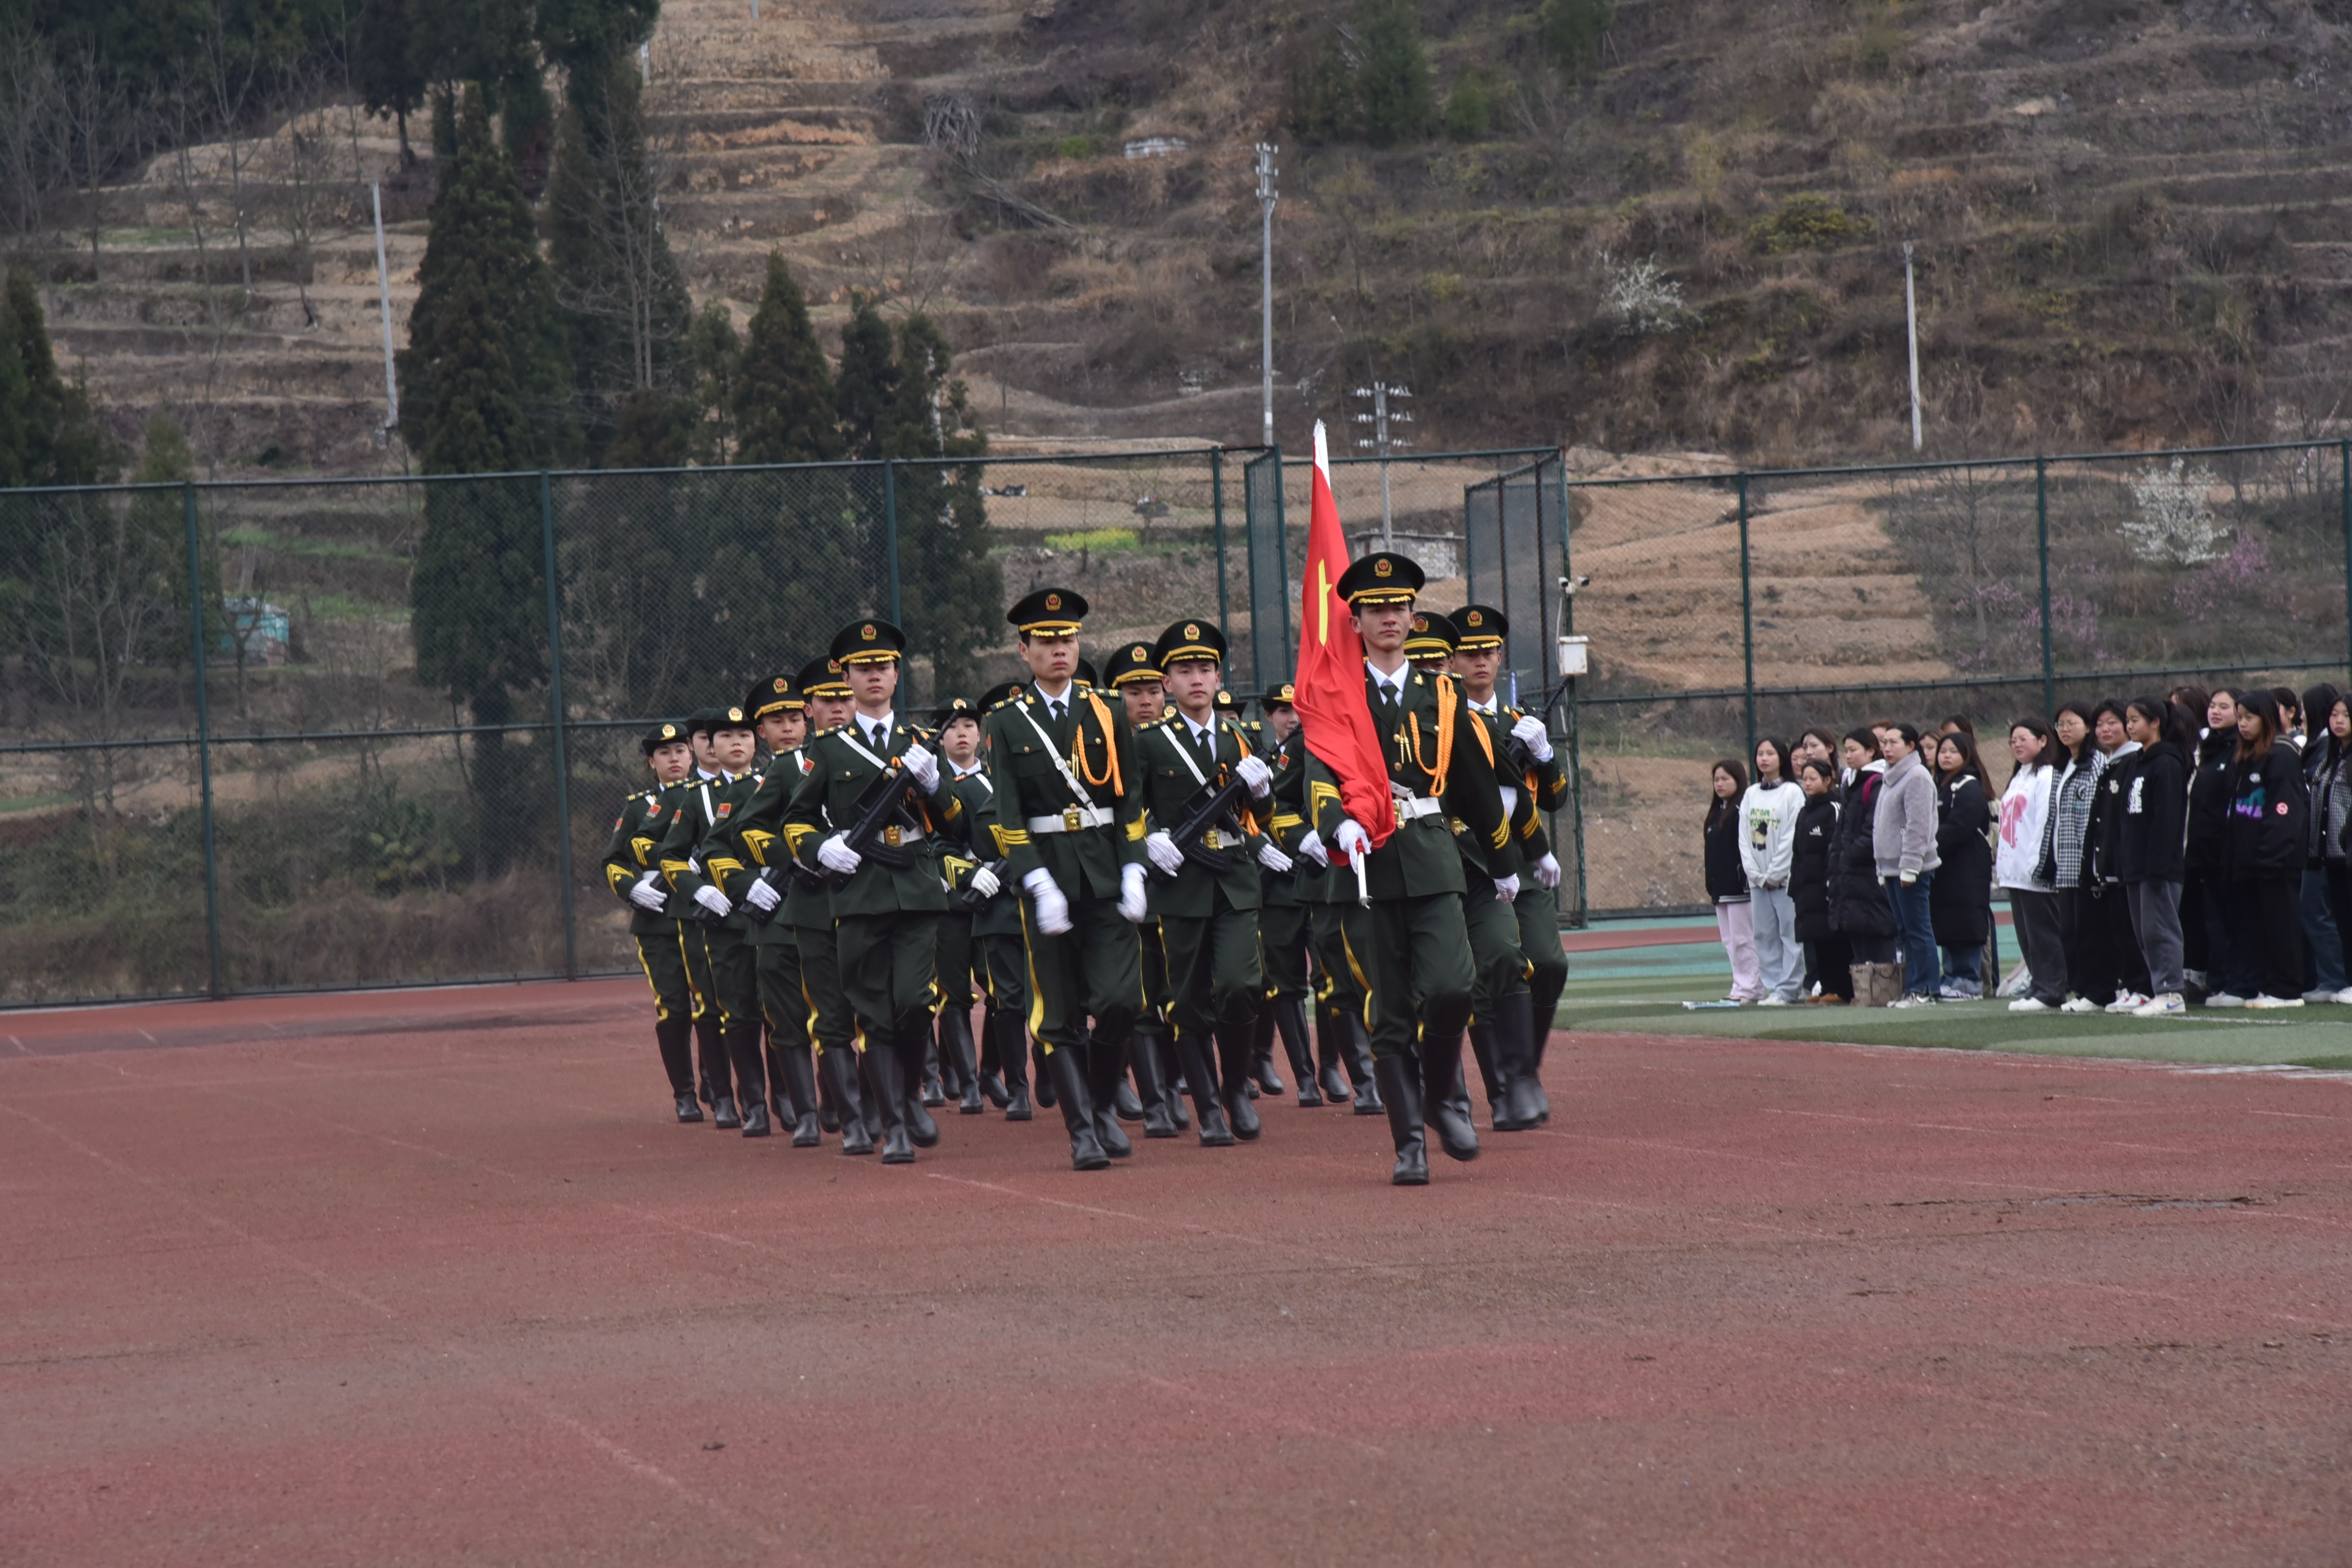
x: 2134, y: 225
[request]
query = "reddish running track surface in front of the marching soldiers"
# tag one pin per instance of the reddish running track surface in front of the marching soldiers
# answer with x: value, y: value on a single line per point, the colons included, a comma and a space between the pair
x: 434, y: 1280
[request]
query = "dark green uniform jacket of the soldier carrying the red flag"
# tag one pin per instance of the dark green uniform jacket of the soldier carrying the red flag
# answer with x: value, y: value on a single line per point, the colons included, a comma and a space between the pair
x: 1422, y: 857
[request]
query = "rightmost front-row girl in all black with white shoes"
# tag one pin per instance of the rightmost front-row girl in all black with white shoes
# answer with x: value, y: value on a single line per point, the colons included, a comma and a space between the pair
x: 2264, y: 850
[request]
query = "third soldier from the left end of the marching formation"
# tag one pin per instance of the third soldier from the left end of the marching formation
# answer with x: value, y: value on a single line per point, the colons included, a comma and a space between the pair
x: 697, y: 859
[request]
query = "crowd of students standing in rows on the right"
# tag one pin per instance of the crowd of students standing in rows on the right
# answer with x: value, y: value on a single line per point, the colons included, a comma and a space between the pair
x: 2156, y: 855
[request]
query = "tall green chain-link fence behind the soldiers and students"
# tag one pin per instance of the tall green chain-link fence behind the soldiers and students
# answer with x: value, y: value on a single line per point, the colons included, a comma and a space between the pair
x: 305, y: 735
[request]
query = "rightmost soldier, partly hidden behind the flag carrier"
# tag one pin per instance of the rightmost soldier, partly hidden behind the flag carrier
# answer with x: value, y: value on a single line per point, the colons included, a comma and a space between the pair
x: 1535, y: 782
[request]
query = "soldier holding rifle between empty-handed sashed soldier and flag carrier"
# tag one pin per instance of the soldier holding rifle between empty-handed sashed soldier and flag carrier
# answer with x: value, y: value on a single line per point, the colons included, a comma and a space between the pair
x: 1208, y: 913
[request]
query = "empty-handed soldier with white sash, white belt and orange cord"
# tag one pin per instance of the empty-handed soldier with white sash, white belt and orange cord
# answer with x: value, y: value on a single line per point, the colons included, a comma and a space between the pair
x: 1071, y: 824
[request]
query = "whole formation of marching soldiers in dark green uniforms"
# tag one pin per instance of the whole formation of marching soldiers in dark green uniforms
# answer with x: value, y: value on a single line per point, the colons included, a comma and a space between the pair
x: 1137, y: 885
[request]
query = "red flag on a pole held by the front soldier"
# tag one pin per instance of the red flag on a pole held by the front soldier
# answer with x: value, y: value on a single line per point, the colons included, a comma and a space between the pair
x: 1332, y: 709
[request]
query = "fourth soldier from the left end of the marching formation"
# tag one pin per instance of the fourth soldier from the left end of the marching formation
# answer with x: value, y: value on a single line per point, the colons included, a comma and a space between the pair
x: 763, y: 892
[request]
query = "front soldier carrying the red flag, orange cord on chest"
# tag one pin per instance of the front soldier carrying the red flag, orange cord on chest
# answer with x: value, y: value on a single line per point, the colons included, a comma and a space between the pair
x: 1417, y: 972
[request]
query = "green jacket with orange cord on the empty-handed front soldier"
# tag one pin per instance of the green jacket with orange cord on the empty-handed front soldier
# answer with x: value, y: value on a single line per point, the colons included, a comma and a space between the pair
x: 1100, y: 749
